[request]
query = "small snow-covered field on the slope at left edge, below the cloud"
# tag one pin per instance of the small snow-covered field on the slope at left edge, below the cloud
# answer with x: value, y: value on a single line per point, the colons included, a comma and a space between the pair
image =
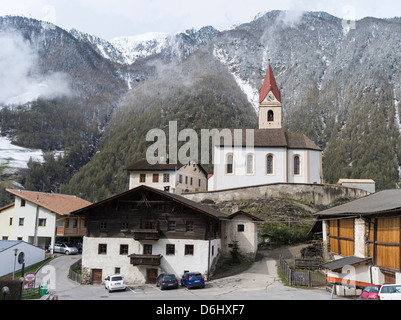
x: 16, y: 157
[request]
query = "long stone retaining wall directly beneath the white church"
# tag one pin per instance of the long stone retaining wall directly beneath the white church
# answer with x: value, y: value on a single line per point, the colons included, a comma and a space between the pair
x: 313, y: 193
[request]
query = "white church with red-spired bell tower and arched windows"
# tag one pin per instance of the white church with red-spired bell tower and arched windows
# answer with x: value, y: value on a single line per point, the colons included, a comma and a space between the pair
x: 275, y: 157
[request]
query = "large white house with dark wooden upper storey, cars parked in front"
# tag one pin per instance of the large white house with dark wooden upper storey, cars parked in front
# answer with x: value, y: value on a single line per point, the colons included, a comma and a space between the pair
x: 145, y: 231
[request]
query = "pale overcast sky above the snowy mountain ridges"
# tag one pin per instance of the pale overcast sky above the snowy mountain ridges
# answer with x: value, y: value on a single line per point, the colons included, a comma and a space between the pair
x: 113, y: 18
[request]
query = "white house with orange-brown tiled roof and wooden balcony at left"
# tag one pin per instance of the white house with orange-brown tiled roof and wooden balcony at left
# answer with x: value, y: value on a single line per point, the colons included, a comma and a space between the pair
x: 40, y: 218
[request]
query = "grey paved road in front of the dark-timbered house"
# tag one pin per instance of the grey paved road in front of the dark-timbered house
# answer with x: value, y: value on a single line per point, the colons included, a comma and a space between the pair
x: 261, y: 282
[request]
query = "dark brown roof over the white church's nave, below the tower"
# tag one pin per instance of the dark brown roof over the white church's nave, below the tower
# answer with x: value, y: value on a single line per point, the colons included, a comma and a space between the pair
x: 273, y: 138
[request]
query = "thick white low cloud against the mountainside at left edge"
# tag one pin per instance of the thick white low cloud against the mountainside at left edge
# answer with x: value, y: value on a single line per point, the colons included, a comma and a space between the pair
x: 20, y: 79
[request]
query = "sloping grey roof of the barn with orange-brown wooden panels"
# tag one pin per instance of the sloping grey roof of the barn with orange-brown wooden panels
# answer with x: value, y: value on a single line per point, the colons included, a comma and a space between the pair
x: 381, y: 202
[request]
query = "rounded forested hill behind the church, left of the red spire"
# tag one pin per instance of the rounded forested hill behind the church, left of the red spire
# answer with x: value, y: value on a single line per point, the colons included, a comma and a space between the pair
x: 209, y: 100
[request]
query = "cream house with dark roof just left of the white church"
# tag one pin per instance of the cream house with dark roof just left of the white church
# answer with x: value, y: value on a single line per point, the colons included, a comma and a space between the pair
x: 175, y: 178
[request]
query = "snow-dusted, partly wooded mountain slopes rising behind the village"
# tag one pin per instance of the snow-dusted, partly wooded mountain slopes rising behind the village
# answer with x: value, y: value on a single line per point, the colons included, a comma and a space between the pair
x: 340, y: 86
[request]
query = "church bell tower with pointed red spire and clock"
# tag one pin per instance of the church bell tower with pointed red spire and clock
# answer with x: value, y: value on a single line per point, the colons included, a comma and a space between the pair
x: 270, y: 108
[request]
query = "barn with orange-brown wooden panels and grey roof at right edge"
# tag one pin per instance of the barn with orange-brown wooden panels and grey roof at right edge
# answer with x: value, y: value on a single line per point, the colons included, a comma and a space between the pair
x: 369, y: 231
